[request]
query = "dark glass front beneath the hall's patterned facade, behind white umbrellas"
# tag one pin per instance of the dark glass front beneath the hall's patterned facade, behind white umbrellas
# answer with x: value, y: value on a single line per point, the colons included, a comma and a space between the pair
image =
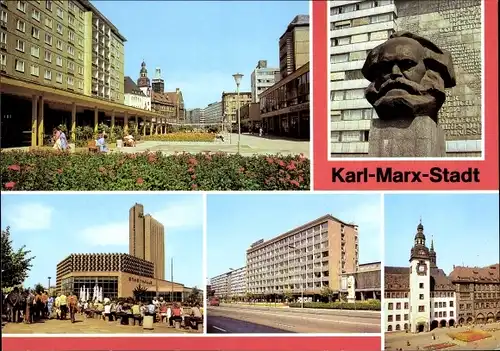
x: 109, y: 285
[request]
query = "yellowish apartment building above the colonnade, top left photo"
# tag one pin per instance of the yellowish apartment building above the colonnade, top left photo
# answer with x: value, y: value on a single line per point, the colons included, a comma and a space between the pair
x: 50, y: 43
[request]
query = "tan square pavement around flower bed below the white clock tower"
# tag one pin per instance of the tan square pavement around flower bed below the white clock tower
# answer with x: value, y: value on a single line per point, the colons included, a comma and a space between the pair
x: 398, y: 340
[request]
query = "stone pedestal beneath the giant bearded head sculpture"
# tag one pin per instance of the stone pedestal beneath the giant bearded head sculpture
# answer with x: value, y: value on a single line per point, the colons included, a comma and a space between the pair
x: 417, y: 137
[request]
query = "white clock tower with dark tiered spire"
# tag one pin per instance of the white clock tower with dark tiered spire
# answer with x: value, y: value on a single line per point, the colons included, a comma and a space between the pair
x: 419, y: 283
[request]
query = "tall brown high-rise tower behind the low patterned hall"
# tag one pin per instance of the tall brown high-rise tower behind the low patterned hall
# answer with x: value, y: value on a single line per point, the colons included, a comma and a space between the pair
x: 147, y: 239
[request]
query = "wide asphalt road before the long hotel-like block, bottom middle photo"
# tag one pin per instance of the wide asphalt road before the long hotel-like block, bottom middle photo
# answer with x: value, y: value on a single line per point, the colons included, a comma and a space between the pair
x: 251, y: 320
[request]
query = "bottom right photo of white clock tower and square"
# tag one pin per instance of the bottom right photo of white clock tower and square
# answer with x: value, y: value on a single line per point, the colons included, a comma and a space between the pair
x: 441, y: 271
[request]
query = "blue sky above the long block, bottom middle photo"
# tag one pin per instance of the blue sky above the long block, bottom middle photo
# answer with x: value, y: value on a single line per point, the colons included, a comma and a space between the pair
x: 234, y: 222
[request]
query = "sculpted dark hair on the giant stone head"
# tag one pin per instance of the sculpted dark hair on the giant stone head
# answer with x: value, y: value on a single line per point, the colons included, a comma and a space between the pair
x: 435, y: 59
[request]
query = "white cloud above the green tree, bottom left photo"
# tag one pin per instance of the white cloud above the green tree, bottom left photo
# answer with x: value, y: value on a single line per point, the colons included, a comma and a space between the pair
x: 30, y: 216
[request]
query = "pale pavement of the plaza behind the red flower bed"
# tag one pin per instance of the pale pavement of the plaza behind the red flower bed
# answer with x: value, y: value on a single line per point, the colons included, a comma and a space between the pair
x: 249, y: 145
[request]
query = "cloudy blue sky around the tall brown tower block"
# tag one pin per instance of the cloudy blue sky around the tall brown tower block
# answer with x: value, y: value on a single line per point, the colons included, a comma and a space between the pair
x: 54, y: 226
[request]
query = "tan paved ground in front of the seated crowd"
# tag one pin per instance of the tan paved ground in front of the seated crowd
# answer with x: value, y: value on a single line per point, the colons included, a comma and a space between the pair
x: 86, y: 326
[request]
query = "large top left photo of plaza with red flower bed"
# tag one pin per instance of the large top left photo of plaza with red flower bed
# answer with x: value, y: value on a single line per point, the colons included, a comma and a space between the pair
x: 186, y: 96
